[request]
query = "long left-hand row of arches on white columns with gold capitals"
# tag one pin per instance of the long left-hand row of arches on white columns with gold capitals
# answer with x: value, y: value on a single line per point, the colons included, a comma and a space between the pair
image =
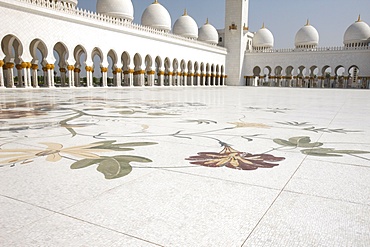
x: 40, y: 65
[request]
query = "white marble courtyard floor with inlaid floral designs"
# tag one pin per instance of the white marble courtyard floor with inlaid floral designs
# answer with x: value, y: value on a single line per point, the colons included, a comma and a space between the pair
x: 185, y: 166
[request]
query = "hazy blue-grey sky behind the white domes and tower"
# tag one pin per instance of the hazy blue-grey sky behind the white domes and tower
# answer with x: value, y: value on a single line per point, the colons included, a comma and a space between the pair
x: 283, y: 17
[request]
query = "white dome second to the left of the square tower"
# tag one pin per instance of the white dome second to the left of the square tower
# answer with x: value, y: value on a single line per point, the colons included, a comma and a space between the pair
x: 186, y: 27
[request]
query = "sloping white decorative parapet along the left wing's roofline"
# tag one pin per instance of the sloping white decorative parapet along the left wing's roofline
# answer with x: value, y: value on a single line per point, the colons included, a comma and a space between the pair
x: 70, y: 10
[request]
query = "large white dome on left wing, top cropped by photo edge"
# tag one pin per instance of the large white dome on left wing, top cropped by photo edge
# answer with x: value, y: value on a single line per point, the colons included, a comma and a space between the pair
x: 116, y: 8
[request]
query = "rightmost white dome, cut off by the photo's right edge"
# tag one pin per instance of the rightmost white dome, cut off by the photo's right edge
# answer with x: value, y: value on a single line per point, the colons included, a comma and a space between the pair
x: 357, y: 34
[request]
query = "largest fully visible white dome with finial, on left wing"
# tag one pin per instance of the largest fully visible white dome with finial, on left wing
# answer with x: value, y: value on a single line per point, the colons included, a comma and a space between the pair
x: 156, y: 16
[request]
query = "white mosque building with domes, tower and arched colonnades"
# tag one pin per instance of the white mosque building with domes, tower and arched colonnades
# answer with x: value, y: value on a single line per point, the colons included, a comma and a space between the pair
x: 53, y: 43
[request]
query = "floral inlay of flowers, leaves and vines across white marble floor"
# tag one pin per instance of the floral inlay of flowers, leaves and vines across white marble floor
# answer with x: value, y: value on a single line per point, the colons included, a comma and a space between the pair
x: 115, y: 130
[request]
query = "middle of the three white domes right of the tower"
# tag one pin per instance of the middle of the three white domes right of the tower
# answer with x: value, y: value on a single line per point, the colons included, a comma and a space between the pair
x: 307, y: 37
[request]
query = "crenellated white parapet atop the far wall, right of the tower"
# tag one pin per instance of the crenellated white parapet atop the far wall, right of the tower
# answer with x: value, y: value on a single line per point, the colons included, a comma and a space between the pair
x: 317, y: 49
